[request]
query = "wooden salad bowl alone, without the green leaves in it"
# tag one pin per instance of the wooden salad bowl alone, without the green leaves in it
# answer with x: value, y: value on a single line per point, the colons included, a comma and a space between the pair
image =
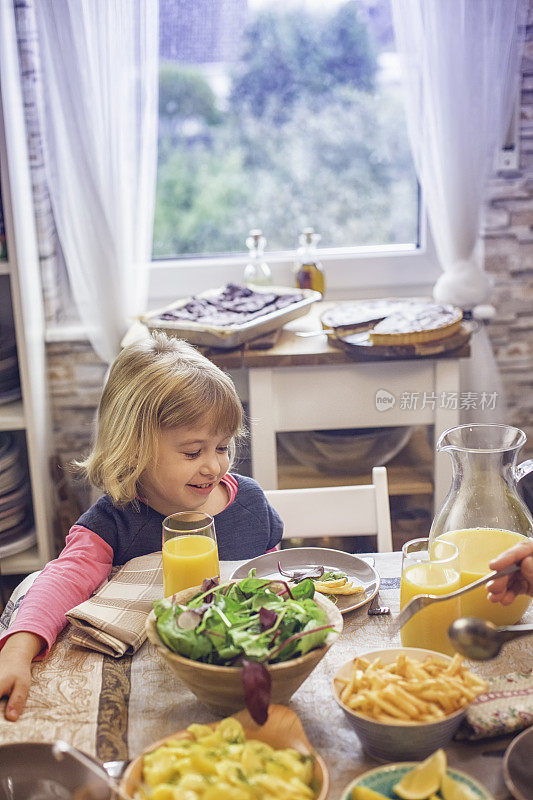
x: 220, y: 688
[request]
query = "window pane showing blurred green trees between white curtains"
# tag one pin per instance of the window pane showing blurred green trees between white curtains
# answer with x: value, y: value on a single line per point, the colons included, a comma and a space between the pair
x: 280, y: 115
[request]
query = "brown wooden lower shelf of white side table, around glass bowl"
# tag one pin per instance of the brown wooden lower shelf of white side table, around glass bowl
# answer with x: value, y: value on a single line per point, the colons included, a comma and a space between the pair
x: 410, y: 472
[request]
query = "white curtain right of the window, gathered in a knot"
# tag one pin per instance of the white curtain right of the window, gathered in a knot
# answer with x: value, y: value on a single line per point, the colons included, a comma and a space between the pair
x: 461, y: 61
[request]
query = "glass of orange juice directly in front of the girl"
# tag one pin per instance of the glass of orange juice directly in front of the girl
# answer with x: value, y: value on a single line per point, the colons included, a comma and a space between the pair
x: 190, y: 552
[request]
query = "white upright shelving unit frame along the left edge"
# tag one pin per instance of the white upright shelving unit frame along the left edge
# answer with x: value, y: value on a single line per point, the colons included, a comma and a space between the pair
x: 21, y: 308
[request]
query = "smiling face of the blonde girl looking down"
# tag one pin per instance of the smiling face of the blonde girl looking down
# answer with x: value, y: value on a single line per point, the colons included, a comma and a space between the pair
x: 186, y: 474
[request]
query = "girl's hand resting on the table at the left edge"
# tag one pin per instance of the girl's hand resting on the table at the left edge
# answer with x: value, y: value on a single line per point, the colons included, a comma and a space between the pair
x: 15, y: 670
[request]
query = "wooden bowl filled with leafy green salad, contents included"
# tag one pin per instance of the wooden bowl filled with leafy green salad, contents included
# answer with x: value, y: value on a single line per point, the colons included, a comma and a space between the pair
x: 245, y: 643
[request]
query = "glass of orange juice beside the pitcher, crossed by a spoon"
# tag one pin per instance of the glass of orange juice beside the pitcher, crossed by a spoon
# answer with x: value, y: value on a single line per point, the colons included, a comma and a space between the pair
x: 430, y: 570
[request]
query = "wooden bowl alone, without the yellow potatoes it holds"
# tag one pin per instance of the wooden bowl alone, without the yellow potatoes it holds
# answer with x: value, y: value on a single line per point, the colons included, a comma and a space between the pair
x: 282, y: 729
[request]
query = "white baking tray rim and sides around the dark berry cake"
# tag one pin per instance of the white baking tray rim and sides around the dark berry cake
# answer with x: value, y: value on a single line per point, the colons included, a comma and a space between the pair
x: 228, y: 336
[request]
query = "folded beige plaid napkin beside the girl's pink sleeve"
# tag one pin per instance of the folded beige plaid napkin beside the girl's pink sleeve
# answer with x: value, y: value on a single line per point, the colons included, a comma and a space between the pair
x: 112, y: 620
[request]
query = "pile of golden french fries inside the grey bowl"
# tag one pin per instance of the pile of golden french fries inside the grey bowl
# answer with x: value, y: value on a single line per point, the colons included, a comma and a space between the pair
x: 409, y: 690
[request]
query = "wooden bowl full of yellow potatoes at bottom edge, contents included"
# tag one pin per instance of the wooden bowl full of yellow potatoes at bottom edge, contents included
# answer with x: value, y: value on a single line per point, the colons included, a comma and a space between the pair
x: 260, y: 762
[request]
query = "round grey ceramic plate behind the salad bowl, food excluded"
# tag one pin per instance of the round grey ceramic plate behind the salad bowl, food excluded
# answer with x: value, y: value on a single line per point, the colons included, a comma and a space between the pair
x: 302, y: 557
